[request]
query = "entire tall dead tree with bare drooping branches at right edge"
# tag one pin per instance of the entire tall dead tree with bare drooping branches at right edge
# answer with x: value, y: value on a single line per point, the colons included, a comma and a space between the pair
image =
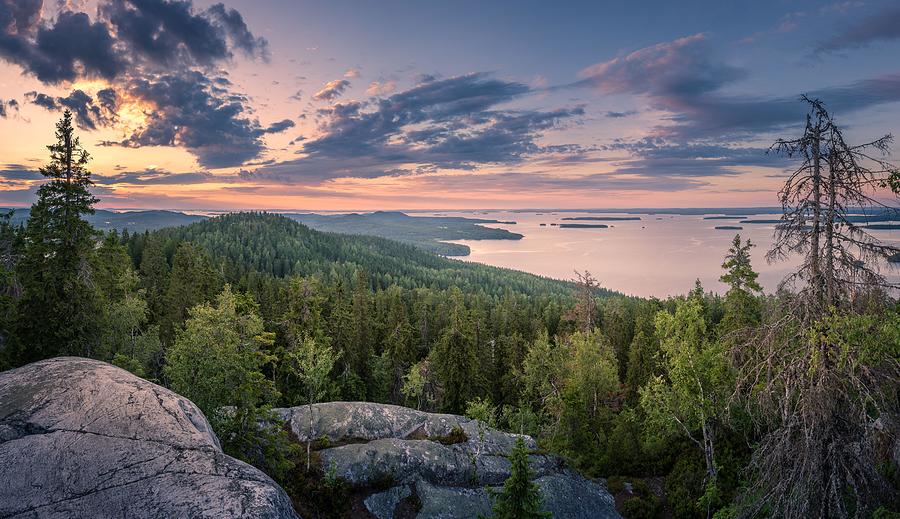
x: 816, y: 395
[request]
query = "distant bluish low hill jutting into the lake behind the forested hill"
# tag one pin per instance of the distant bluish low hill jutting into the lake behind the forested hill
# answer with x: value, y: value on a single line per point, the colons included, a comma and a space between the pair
x: 426, y: 232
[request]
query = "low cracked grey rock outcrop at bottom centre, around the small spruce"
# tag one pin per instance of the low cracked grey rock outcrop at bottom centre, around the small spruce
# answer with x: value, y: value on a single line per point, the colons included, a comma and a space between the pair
x: 423, y: 456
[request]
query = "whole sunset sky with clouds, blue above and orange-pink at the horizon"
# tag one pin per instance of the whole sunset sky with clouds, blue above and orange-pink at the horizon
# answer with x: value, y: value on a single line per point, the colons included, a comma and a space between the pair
x: 362, y: 105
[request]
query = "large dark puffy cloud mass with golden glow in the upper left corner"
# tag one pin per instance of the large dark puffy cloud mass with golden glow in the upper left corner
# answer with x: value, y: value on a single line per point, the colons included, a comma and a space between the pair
x: 157, y: 55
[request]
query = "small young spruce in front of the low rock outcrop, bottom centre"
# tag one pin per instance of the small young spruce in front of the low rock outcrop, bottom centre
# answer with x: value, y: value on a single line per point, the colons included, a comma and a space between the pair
x: 519, y: 498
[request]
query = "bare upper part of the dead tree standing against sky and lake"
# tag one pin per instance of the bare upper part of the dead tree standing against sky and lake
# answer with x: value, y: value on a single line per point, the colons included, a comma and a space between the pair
x: 826, y: 203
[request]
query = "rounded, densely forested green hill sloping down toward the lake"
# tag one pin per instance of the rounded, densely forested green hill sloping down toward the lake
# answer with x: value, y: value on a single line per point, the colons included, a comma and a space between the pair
x: 276, y: 245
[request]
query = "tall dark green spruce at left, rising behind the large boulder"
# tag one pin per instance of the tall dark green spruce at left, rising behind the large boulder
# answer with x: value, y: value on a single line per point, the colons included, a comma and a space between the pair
x: 58, y: 311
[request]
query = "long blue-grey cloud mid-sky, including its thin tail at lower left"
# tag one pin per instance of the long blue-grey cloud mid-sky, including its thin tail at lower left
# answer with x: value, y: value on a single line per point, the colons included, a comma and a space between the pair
x: 450, y: 123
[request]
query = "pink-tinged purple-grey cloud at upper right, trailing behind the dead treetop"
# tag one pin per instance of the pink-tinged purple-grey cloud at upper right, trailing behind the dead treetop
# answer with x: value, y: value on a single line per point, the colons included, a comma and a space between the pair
x: 685, y: 79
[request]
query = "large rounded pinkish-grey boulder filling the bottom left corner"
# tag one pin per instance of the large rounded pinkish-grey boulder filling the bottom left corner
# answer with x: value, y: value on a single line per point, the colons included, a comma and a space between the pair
x: 82, y: 438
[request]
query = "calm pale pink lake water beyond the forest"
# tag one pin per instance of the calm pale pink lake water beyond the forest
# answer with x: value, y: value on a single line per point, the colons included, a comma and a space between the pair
x: 658, y: 255
